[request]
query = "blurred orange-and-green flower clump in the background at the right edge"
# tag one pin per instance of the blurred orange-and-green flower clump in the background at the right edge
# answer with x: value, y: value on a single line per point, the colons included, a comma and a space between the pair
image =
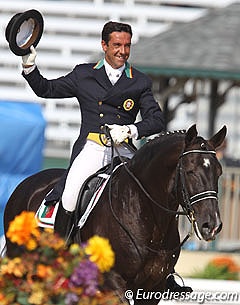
x: 222, y: 268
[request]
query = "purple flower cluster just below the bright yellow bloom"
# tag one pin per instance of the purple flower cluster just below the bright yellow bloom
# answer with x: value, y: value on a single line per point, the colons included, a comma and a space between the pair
x: 86, y: 276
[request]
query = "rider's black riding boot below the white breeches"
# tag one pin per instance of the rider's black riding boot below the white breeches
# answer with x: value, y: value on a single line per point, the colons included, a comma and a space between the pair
x: 64, y: 223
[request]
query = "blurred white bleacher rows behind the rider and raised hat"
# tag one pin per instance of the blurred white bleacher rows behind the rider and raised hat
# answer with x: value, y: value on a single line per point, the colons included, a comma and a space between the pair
x: 72, y: 36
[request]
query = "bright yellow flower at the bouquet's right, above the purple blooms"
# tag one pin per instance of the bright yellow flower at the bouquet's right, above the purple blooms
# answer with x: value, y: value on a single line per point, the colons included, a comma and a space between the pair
x: 100, y: 252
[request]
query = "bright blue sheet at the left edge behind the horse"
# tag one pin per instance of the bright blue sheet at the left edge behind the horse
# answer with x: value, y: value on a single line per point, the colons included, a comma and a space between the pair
x: 22, y: 129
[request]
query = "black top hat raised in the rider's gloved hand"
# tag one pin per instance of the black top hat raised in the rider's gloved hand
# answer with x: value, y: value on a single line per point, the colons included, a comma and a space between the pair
x: 24, y: 30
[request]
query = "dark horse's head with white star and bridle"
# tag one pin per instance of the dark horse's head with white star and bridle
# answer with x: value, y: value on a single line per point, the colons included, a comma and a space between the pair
x: 198, y: 172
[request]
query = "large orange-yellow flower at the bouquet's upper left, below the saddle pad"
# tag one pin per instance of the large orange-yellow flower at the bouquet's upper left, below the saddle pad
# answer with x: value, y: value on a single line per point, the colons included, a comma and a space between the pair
x: 24, y: 229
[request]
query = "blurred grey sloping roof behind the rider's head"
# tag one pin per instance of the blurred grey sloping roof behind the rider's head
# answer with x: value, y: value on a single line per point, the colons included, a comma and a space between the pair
x: 208, y: 47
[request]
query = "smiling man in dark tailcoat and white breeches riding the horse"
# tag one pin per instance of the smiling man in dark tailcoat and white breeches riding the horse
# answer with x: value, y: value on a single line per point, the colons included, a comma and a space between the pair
x: 109, y: 92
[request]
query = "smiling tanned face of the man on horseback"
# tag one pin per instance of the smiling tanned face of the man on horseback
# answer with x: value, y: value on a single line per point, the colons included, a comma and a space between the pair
x: 117, y: 50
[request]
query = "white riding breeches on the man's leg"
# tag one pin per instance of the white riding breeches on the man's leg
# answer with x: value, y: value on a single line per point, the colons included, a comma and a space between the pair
x: 91, y: 158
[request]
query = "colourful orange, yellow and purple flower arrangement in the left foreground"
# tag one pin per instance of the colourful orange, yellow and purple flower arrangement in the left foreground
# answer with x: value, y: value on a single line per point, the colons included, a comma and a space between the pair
x: 48, y: 273
